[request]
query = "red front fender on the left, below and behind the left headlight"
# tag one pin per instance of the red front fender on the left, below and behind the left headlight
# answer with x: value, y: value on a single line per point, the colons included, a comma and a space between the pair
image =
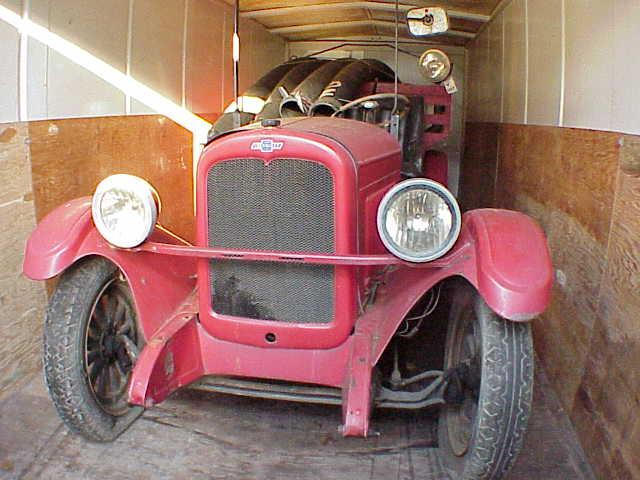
x: 159, y: 283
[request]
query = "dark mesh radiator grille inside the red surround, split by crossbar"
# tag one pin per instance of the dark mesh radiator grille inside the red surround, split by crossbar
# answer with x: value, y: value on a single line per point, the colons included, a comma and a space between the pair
x: 286, y: 205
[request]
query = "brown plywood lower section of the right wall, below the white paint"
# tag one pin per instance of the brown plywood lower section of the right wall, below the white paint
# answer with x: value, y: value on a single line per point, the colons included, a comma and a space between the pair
x: 583, y: 187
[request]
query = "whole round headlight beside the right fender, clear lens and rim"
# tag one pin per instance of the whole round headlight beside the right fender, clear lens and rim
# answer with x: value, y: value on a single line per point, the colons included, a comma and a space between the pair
x: 419, y: 220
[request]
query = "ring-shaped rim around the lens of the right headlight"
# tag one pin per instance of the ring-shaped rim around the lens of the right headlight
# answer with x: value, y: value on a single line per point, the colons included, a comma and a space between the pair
x: 439, y: 190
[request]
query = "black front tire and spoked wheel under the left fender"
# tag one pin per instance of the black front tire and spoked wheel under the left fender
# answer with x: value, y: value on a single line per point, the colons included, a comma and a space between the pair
x: 66, y: 350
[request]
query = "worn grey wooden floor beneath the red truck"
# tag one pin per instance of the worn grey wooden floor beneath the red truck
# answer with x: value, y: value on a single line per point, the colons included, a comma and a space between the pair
x: 197, y: 435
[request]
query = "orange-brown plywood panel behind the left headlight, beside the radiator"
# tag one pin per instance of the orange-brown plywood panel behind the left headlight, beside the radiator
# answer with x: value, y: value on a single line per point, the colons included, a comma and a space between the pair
x: 70, y: 157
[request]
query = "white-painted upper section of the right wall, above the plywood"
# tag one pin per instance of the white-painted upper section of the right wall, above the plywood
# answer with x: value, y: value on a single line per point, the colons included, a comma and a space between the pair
x: 558, y: 62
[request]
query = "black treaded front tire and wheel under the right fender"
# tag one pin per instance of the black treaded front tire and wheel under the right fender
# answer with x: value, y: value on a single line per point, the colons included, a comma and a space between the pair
x: 483, y: 444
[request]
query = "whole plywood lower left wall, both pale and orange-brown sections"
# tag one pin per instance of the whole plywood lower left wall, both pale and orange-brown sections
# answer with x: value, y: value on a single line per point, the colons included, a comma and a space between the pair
x: 45, y: 163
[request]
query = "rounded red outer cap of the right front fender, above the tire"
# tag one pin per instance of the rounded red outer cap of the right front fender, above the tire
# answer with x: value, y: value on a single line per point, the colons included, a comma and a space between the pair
x: 513, y: 270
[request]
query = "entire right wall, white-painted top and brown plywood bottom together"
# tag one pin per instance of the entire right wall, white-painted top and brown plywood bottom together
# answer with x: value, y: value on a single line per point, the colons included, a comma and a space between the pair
x: 541, y: 65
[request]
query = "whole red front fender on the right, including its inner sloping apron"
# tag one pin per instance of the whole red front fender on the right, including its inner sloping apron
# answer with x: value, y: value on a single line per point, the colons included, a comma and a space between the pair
x: 502, y: 253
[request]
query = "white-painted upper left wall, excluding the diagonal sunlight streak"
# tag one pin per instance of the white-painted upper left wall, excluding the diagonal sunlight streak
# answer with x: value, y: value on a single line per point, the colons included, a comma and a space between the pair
x: 176, y: 48
